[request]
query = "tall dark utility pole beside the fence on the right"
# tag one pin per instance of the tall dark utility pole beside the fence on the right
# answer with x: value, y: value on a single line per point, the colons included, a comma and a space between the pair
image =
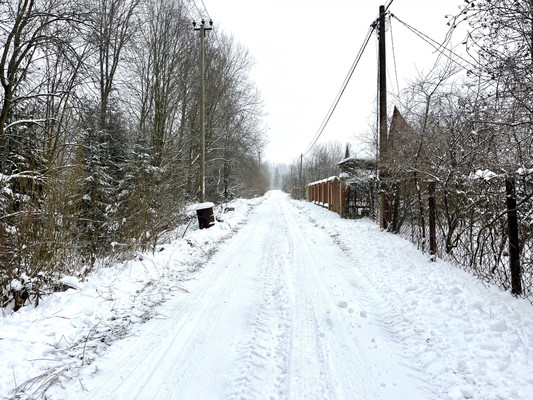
x: 383, y: 218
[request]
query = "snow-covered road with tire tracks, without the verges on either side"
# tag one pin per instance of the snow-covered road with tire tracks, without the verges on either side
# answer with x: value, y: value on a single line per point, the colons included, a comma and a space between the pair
x: 275, y: 314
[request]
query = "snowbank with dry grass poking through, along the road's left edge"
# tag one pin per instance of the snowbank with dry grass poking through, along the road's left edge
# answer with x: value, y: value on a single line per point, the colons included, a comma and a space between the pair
x: 39, y: 346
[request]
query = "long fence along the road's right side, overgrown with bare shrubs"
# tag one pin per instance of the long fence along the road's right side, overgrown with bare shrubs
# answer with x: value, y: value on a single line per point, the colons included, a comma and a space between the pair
x: 466, y: 220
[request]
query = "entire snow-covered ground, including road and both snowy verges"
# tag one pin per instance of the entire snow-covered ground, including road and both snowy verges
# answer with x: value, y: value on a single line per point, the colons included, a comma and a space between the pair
x: 297, y: 304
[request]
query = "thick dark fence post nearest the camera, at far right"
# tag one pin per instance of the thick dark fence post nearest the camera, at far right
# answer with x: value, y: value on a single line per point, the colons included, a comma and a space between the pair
x: 514, y: 243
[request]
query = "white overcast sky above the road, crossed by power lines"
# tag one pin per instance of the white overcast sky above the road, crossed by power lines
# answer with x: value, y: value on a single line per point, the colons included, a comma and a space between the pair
x: 303, y: 50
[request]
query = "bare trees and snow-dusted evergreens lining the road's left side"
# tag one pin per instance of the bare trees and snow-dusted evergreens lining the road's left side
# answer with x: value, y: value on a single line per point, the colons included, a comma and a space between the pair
x: 100, y: 131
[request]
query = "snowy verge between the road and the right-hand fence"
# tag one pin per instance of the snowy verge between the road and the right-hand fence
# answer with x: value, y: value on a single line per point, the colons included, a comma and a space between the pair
x: 474, y: 341
